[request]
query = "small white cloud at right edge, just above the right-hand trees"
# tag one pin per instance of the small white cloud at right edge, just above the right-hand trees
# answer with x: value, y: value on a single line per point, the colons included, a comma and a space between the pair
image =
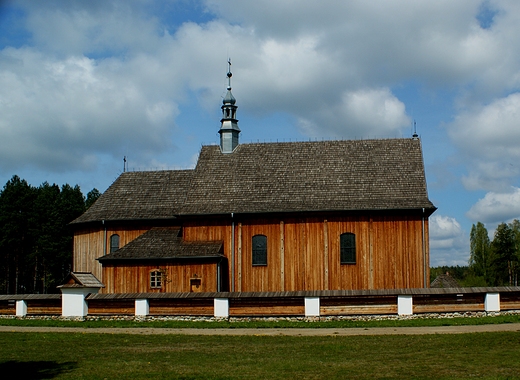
x: 497, y: 207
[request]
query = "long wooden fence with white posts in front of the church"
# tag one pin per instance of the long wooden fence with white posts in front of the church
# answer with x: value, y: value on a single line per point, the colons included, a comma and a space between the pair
x: 278, y: 304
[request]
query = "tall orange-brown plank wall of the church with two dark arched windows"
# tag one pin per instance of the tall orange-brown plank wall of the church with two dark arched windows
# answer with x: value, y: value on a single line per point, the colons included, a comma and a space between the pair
x: 304, y: 253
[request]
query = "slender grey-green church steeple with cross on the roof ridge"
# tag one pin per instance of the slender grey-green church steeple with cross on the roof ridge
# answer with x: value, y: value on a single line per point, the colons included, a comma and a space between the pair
x: 229, y: 130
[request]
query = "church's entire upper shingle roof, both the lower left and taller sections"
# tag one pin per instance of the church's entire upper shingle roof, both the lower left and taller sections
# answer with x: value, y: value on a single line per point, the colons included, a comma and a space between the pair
x: 275, y: 177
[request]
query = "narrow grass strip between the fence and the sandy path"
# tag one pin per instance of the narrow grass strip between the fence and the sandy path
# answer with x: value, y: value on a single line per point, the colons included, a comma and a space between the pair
x: 418, y: 322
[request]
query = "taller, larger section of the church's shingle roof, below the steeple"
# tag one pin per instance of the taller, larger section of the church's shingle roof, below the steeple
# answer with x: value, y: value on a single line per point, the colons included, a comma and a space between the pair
x: 309, y: 176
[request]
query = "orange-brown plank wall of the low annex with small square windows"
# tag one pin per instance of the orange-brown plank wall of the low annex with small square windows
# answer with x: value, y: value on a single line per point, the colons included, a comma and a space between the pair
x: 176, y: 278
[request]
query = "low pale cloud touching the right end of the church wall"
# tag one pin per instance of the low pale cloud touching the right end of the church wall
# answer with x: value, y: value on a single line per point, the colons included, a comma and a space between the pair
x: 448, y: 242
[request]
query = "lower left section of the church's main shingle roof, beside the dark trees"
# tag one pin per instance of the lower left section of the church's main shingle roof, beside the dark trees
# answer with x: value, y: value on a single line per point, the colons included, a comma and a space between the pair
x: 141, y: 195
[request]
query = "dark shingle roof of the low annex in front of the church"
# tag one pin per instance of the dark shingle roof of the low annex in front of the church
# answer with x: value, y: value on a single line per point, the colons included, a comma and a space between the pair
x: 165, y: 244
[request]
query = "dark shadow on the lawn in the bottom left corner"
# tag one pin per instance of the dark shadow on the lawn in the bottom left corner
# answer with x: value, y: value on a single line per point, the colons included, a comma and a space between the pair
x: 35, y: 369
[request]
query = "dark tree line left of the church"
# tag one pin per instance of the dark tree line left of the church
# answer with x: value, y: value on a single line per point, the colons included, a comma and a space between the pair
x: 35, y: 237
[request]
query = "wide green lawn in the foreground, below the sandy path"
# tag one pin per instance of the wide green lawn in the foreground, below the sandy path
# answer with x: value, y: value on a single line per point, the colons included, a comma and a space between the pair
x: 105, y: 356
